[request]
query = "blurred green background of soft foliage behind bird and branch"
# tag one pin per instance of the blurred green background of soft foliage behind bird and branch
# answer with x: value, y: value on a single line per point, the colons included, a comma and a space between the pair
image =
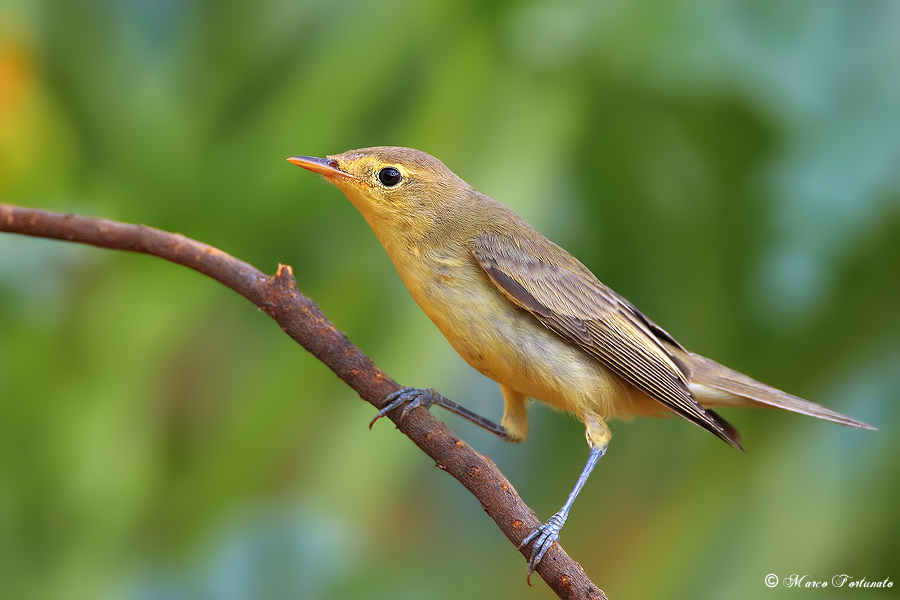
x: 732, y: 168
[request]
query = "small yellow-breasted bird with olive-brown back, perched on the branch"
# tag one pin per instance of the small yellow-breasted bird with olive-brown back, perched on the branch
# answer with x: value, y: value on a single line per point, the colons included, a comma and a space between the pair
x: 527, y: 314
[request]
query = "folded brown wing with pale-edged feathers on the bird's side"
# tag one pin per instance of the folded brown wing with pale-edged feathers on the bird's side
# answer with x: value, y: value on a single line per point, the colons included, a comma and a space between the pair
x: 567, y: 299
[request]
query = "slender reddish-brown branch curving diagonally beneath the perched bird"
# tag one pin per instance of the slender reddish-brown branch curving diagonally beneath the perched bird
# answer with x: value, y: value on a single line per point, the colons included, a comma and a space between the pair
x: 301, y: 319
